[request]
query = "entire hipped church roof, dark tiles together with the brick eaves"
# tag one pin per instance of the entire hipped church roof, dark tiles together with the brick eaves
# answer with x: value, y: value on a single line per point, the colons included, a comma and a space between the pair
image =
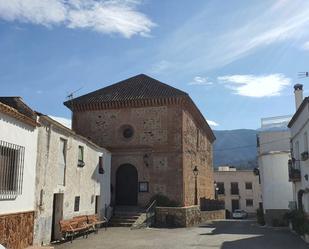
x: 138, y: 89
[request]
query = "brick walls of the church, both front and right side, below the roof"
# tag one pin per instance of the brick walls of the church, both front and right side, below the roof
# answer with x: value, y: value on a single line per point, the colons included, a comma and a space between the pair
x: 169, y: 139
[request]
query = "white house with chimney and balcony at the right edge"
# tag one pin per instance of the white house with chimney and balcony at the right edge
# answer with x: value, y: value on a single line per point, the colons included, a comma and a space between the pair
x: 299, y: 164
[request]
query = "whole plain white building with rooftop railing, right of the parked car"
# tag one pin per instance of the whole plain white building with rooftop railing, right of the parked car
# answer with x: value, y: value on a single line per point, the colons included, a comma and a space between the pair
x: 273, y: 156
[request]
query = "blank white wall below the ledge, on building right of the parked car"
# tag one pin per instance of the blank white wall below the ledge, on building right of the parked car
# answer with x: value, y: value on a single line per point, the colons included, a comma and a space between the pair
x: 276, y: 188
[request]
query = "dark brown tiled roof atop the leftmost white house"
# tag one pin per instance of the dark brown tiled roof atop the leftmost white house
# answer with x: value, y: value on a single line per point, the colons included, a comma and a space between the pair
x: 18, y: 104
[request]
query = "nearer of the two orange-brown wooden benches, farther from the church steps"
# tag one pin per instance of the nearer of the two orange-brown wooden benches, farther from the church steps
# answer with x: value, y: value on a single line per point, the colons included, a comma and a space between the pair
x: 70, y: 228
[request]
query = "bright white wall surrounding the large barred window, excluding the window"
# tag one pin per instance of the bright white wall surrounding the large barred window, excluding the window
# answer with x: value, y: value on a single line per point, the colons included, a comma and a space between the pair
x: 16, y: 132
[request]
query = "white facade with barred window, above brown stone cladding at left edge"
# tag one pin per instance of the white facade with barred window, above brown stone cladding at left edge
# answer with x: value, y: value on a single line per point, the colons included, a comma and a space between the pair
x: 18, y: 152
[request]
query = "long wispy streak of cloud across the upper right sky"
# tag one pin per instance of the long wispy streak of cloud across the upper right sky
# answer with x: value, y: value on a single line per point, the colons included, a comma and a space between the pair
x: 204, y: 43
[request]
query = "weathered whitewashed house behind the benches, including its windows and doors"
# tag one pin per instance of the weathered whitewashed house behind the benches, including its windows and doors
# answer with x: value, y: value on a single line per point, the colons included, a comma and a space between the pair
x: 73, y: 178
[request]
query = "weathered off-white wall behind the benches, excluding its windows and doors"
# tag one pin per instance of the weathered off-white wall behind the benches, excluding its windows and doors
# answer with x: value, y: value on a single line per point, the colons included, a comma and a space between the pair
x: 85, y: 181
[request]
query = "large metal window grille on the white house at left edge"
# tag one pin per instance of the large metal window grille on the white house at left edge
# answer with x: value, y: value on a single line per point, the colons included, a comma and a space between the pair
x: 11, y: 170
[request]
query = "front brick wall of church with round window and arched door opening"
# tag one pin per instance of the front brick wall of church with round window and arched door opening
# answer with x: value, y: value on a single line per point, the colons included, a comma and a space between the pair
x: 157, y: 133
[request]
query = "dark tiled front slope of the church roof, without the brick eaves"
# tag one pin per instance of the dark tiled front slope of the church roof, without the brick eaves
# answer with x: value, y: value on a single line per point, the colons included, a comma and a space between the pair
x: 138, y: 87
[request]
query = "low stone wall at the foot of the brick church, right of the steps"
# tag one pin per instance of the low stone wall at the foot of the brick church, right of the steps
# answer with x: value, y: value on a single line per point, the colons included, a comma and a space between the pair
x: 185, y: 216
